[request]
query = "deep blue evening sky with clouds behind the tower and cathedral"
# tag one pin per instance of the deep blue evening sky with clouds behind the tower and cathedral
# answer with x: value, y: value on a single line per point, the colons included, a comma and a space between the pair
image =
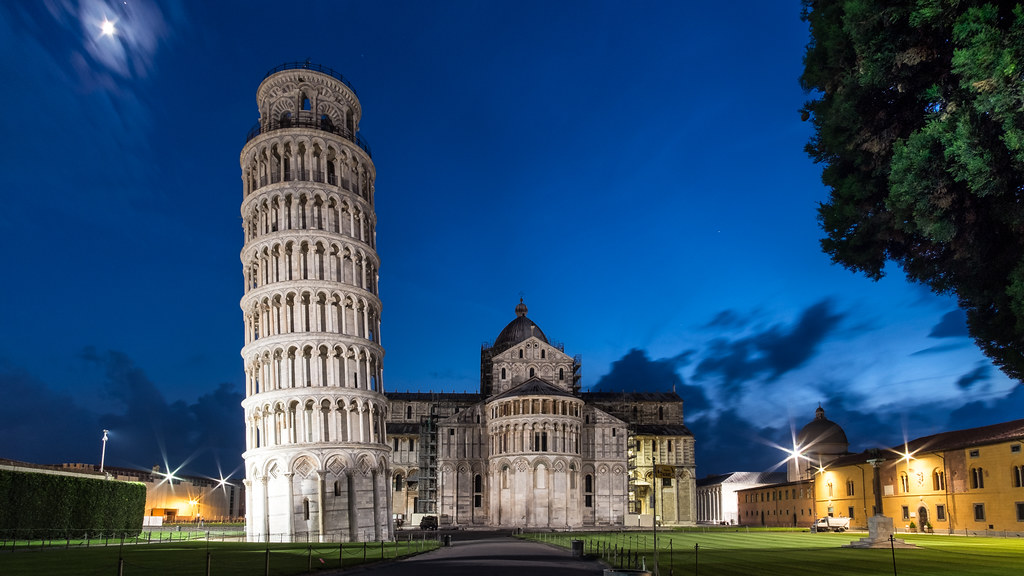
x: 635, y: 171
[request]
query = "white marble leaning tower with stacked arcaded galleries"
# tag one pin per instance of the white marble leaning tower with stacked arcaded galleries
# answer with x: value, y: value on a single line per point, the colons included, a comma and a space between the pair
x: 317, y: 459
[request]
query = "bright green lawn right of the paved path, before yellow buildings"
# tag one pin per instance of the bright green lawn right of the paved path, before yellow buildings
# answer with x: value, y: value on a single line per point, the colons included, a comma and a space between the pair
x: 745, y: 553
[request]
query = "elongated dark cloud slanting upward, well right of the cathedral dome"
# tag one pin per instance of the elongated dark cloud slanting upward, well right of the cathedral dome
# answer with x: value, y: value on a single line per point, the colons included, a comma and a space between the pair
x: 769, y: 354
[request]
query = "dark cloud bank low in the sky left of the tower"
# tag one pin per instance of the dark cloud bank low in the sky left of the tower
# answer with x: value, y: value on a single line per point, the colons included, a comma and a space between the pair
x: 206, y: 436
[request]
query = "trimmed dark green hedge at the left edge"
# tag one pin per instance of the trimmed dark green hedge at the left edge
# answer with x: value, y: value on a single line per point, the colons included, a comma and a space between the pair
x: 37, y: 506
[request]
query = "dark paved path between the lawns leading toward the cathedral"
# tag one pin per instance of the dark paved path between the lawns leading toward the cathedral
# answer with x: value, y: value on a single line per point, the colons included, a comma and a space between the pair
x: 497, y: 556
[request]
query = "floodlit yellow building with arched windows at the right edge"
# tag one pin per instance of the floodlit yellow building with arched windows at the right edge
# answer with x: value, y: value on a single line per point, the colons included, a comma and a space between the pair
x: 968, y: 482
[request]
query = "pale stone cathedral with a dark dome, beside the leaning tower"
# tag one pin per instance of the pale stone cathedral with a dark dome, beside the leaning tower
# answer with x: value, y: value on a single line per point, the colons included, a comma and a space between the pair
x: 532, y: 450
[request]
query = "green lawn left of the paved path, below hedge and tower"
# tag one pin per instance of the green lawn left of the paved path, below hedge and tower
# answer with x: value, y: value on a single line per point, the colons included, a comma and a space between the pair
x: 190, y: 558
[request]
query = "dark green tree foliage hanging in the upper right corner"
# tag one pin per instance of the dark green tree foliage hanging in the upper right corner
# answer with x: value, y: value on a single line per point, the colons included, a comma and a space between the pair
x: 918, y: 109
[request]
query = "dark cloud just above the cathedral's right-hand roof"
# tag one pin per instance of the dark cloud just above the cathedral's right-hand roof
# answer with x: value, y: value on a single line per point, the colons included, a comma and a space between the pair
x: 636, y: 373
